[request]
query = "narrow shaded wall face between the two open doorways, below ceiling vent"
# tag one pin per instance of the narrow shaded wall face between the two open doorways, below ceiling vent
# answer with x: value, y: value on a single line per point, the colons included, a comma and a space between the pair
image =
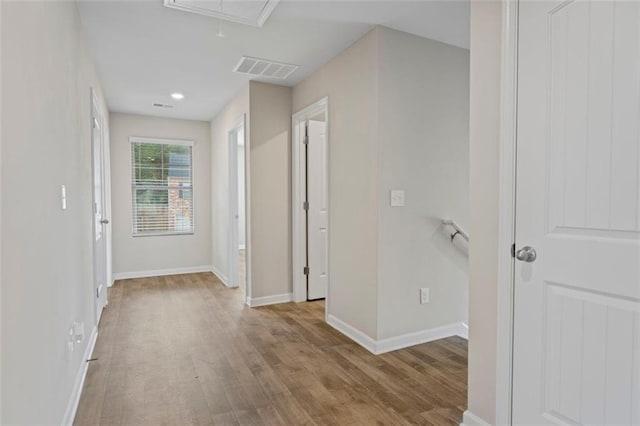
x: 270, y: 189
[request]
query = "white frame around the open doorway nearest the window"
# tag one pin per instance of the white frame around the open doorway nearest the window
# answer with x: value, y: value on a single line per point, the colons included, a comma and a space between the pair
x: 240, y: 123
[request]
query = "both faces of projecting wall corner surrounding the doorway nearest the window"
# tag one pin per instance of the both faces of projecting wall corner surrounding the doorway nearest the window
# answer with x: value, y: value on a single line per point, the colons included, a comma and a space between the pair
x: 267, y: 109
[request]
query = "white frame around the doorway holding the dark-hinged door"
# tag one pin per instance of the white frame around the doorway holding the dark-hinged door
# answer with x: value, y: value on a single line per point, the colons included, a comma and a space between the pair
x: 297, y: 197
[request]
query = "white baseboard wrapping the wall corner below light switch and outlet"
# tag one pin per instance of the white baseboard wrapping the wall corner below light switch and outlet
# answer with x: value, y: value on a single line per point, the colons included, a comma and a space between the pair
x: 378, y: 347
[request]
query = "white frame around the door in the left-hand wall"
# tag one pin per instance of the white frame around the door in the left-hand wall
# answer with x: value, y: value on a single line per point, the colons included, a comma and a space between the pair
x: 97, y: 119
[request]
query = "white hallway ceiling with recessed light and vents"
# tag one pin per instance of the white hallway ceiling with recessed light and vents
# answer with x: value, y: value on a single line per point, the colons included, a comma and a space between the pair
x: 144, y: 51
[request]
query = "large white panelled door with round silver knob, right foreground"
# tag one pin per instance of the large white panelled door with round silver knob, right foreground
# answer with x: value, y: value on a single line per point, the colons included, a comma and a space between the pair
x: 577, y: 306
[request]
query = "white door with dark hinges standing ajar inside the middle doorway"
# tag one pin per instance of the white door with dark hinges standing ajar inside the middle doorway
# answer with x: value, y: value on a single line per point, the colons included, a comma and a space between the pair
x: 317, y: 213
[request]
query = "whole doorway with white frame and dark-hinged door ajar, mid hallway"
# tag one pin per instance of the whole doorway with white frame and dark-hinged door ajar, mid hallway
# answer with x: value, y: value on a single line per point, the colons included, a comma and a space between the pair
x: 310, y: 156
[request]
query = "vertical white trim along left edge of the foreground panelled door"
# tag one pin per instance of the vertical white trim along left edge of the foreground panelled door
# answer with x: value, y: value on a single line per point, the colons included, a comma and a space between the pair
x: 506, y: 221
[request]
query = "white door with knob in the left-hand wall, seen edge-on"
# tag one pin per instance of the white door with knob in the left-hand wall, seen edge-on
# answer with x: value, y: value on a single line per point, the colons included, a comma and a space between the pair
x: 99, y: 219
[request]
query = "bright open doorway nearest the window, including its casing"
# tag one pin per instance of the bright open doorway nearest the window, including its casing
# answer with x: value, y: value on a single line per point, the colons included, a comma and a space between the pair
x: 238, y: 238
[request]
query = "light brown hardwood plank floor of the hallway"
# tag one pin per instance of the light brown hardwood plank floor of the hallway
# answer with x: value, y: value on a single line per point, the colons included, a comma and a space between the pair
x: 184, y: 350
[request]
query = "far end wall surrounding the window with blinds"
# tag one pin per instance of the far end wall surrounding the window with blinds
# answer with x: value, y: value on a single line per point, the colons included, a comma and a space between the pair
x: 138, y: 254
